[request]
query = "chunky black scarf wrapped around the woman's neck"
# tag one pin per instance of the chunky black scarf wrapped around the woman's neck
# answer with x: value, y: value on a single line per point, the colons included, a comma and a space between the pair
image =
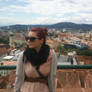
x: 37, y: 58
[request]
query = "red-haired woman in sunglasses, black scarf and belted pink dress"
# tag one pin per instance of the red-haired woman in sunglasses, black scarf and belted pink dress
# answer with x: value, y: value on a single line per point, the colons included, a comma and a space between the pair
x: 36, y: 68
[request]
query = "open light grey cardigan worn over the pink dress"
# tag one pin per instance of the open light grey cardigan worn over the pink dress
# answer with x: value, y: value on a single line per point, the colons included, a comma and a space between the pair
x: 20, y: 73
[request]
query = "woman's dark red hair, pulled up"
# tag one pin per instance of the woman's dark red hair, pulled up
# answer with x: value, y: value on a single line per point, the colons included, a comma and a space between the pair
x: 41, y: 33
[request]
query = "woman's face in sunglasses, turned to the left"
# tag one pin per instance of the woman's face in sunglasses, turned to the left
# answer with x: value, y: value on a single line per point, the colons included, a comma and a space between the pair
x: 33, y: 41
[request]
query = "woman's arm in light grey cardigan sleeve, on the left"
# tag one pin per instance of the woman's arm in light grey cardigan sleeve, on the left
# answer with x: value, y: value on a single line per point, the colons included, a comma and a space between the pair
x: 19, y: 73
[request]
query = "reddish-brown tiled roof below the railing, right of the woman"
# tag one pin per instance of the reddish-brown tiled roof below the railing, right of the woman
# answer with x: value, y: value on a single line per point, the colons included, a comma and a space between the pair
x: 79, y: 80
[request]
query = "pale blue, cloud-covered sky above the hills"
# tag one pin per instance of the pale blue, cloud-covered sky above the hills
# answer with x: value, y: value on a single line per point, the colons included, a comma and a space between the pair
x: 45, y: 11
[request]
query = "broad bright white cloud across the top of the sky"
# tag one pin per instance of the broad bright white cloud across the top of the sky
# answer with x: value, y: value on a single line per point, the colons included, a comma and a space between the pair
x: 49, y: 7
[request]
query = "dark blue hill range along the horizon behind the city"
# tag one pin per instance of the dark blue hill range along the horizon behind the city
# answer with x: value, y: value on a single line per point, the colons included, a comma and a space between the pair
x: 60, y: 25
